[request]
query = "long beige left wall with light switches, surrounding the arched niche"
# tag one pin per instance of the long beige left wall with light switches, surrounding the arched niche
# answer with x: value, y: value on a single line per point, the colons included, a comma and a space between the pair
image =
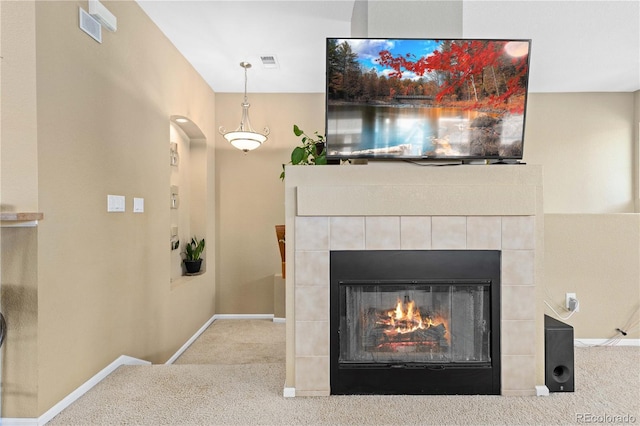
x: 101, y: 127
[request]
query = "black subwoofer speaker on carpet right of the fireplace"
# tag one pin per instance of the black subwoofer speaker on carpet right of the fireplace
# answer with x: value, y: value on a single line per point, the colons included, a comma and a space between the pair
x: 558, y: 355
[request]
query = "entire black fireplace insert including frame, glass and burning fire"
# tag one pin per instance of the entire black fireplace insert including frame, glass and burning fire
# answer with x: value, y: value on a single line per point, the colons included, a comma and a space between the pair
x: 415, y: 322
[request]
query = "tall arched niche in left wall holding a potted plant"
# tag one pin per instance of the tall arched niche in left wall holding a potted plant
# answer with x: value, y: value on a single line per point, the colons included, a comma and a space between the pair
x: 186, y: 159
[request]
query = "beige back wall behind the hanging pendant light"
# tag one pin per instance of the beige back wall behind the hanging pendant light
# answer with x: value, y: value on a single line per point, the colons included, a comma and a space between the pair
x: 250, y: 196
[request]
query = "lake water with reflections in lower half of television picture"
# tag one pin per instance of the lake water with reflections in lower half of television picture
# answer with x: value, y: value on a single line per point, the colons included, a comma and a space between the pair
x: 362, y: 130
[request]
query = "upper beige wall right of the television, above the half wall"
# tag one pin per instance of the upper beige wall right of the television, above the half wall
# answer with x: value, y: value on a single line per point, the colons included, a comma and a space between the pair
x: 585, y: 142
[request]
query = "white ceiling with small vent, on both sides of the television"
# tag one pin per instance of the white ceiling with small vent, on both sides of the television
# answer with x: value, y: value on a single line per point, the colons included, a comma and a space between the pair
x: 577, y: 46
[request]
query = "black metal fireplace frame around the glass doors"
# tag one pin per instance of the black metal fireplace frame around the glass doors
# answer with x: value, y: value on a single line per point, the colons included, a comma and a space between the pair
x: 419, y: 266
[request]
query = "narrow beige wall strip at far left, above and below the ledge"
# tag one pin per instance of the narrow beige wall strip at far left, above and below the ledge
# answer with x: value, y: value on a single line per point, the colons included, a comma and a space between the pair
x: 18, y: 192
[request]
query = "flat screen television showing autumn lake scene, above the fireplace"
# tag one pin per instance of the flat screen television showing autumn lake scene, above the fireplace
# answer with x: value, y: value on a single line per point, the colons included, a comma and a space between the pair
x: 435, y: 99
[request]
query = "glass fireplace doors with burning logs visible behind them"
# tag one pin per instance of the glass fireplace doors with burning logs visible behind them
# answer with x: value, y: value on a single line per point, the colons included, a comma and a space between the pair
x: 415, y: 323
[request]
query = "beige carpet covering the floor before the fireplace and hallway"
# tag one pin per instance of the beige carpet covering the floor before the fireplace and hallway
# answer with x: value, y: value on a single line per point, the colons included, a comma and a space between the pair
x: 234, y: 375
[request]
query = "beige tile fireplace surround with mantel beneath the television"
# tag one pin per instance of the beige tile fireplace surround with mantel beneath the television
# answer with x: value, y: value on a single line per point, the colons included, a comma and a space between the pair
x: 396, y: 206
